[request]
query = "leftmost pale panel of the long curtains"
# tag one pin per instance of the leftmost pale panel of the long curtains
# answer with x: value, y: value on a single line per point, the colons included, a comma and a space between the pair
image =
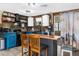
x: 64, y: 23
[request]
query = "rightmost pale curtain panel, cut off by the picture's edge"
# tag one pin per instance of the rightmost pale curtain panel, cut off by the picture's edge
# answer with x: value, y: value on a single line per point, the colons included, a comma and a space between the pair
x: 76, y: 27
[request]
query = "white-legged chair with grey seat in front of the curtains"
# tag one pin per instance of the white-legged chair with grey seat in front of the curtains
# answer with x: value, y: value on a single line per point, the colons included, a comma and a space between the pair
x: 68, y: 47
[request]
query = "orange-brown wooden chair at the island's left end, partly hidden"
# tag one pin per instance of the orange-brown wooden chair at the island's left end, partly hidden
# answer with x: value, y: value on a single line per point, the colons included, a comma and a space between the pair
x: 24, y: 44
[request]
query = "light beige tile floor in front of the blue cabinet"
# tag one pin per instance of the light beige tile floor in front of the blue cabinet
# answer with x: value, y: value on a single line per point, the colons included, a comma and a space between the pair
x: 11, y: 52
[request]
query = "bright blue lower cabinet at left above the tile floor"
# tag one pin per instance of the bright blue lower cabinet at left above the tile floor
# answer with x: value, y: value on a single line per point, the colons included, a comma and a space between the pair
x: 10, y: 39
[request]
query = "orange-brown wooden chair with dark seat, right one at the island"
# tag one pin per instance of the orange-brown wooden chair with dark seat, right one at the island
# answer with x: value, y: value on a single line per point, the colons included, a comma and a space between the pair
x: 36, y: 46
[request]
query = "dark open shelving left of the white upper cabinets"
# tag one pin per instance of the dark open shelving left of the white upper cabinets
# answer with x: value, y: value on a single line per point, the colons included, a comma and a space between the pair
x: 21, y: 22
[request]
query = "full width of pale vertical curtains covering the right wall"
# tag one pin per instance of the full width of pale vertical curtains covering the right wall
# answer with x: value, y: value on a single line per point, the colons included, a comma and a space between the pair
x: 70, y: 24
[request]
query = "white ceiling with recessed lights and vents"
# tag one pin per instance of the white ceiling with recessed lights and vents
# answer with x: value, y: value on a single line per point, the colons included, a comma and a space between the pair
x: 37, y: 8
